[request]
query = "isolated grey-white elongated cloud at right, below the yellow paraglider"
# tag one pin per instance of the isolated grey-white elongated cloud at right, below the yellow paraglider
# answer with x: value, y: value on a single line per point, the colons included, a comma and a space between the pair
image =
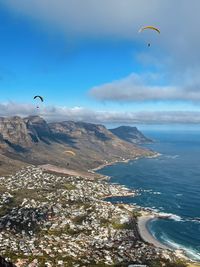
x: 138, y: 88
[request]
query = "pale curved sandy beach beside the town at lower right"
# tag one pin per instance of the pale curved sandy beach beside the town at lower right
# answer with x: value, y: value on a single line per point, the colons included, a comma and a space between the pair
x: 144, y: 232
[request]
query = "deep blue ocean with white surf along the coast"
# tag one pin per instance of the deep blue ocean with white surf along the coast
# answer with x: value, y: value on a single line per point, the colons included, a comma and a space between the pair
x: 168, y: 184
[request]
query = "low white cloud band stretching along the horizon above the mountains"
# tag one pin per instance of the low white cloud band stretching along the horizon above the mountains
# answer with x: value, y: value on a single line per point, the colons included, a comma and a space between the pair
x: 104, y: 117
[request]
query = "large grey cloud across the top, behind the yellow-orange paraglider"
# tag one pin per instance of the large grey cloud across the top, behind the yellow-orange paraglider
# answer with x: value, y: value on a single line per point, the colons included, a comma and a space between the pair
x: 121, y: 19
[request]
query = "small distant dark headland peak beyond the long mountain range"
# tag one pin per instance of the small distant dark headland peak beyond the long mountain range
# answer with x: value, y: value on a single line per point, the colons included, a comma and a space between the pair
x: 131, y: 135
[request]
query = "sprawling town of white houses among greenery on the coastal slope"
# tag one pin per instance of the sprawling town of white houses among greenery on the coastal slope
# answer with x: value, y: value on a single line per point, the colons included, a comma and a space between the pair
x: 56, y: 220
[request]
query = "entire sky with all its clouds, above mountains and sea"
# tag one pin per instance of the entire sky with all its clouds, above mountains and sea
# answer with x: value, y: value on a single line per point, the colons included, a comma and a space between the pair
x: 88, y: 61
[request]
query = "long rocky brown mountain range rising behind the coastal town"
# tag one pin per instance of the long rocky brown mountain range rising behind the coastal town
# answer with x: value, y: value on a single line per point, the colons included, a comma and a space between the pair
x: 34, y: 141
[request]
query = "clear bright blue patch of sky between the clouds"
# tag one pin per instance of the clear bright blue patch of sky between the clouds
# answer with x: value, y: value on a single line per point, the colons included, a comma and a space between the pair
x: 35, y: 61
